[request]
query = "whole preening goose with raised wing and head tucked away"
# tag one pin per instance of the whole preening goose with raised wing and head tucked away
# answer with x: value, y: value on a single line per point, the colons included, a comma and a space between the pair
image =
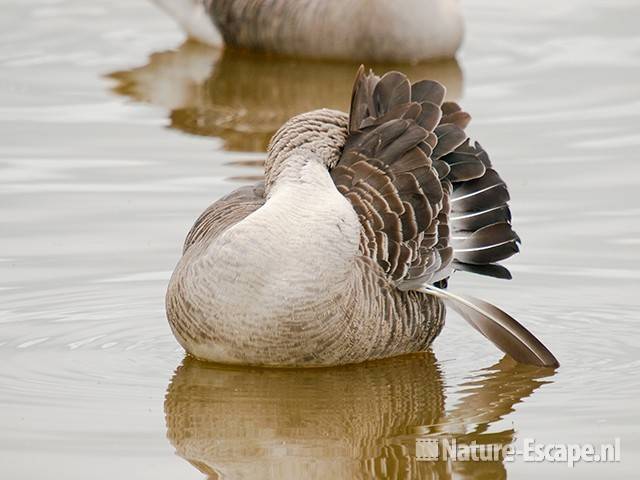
x: 342, y: 254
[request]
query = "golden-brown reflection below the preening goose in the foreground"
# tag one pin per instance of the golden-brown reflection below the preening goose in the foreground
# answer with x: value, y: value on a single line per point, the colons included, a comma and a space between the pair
x: 358, y: 421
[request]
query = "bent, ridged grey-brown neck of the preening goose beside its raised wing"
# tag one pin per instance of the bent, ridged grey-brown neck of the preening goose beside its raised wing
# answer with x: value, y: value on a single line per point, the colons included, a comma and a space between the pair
x: 316, y: 136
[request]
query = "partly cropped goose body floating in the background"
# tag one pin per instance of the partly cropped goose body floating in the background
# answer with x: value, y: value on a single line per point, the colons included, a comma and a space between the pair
x: 374, y: 30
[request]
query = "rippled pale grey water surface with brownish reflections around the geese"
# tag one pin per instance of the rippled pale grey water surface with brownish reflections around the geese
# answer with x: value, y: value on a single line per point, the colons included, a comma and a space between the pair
x: 114, y: 136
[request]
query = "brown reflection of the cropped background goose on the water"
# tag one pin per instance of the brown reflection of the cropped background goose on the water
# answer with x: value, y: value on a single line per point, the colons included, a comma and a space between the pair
x: 244, y: 98
